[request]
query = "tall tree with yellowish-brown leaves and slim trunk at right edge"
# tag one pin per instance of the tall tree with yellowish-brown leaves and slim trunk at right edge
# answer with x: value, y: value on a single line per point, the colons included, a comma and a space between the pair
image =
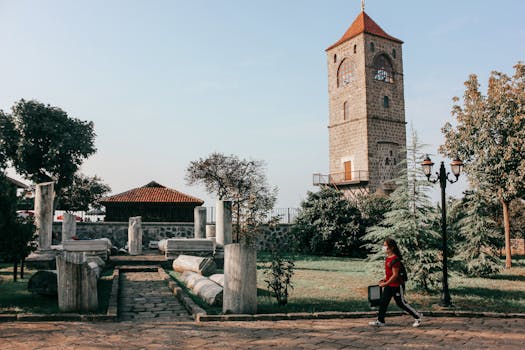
x: 488, y: 137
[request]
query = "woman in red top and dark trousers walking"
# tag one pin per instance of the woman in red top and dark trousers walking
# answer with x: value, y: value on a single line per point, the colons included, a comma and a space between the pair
x: 393, y: 285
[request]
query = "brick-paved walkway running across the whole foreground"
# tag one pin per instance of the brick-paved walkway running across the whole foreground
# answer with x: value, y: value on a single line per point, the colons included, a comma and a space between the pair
x: 437, y: 333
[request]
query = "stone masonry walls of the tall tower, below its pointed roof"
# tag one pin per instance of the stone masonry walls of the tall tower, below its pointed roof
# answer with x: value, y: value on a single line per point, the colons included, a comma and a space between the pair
x: 370, y: 134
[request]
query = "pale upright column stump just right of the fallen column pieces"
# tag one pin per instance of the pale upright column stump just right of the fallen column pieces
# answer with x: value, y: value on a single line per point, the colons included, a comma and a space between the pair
x: 240, y: 279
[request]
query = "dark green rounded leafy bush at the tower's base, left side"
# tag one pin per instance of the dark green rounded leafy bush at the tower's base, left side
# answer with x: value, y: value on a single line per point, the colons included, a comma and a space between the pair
x: 329, y: 224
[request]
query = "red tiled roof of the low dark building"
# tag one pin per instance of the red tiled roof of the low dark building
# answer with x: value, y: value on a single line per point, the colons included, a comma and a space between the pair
x: 152, y: 193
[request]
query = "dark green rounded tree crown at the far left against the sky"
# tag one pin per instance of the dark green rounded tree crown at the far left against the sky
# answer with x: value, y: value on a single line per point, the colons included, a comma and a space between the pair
x: 46, y: 144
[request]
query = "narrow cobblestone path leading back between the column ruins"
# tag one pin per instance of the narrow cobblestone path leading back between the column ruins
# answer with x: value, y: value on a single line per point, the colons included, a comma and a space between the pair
x: 144, y: 296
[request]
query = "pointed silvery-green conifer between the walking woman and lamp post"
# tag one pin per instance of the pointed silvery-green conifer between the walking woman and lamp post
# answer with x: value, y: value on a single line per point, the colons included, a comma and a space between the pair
x: 411, y: 222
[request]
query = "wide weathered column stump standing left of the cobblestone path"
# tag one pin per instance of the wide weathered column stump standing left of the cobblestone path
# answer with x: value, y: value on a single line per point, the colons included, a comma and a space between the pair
x: 77, y: 282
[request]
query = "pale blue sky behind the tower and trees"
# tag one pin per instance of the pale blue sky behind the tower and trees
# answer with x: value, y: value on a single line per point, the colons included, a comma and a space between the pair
x: 169, y: 82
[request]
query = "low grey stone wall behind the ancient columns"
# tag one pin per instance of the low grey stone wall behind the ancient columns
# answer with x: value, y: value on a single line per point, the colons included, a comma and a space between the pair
x: 117, y: 232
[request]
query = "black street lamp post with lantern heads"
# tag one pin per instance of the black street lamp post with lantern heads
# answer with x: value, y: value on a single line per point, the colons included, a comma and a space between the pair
x: 442, y: 177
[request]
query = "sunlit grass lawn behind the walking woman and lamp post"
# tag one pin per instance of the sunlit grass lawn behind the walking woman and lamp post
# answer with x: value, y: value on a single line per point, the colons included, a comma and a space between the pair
x: 340, y: 284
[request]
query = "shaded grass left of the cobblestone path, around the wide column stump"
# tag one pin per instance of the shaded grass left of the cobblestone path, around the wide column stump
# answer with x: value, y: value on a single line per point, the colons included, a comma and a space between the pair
x: 15, y: 298
